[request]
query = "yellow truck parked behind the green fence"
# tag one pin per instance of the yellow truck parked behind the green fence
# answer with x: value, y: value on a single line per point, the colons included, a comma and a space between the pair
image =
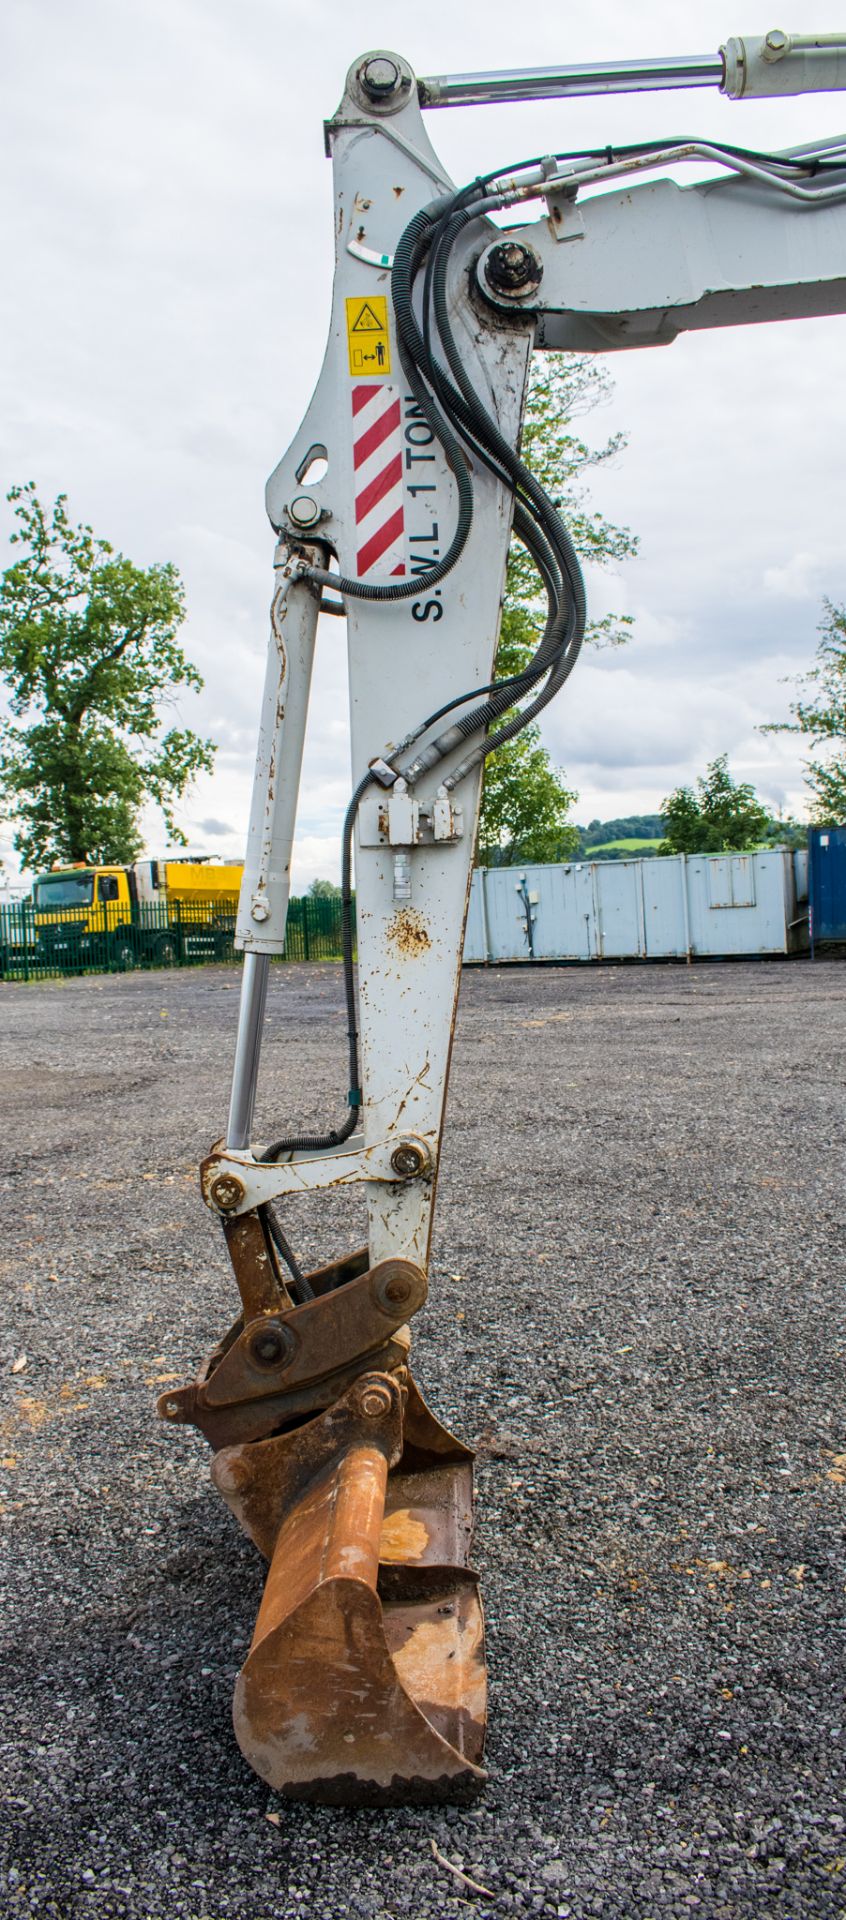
x: 154, y: 911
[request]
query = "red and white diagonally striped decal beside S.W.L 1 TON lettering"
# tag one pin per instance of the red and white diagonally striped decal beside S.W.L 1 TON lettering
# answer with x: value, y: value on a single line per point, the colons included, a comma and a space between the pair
x: 379, y: 483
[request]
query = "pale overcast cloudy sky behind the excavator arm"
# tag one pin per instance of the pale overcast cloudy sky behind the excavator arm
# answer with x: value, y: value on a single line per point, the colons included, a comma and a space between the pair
x: 168, y: 251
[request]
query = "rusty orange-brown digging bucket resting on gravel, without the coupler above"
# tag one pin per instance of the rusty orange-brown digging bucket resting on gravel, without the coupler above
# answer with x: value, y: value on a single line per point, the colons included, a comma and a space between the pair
x: 365, y: 1683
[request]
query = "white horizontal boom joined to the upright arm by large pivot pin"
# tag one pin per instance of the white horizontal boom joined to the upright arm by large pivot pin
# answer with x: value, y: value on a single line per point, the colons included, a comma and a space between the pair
x: 649, y: 260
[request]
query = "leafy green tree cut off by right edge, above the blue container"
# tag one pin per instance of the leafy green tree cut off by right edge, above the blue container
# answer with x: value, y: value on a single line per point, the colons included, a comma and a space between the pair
x: 822, y: 719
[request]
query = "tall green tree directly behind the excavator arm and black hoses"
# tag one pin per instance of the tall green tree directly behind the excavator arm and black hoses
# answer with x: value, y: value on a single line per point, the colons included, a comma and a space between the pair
x: 525, y: 798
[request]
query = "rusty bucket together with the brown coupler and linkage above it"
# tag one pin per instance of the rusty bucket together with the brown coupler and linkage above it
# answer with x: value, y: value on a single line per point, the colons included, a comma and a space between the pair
x: 365, y: 1683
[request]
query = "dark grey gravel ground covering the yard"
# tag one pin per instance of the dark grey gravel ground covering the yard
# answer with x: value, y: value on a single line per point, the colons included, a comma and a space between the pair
x: 634, y: 1314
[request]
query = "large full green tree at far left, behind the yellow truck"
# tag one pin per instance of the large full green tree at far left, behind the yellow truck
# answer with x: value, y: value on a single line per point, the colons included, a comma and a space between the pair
x: 89, y: 652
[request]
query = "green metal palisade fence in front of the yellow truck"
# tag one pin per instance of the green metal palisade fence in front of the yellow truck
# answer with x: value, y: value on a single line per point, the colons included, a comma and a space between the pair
x: 105, y: 940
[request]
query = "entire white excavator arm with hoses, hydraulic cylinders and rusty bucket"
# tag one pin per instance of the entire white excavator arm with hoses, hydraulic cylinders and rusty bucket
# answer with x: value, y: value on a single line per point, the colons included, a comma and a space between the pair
x: 396, y: 504
